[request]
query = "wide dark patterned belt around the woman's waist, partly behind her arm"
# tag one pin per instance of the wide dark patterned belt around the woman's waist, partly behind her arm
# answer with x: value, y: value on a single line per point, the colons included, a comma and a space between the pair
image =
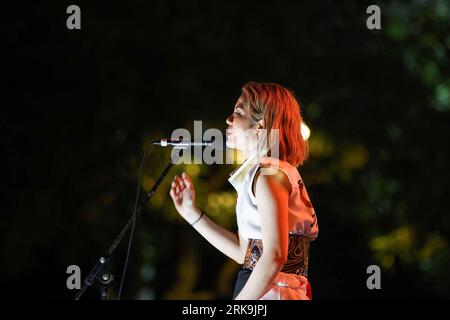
x: 297, y: 260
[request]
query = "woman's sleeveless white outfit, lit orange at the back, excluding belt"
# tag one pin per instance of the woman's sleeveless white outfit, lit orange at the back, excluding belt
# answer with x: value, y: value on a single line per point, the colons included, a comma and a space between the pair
x: 302, y: 220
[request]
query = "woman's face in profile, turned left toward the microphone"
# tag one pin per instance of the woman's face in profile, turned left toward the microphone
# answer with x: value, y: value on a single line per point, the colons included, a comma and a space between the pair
x: 240, y: 133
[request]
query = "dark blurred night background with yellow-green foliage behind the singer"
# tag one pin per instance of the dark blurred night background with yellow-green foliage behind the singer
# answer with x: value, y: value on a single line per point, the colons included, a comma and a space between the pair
x: 80, y: 106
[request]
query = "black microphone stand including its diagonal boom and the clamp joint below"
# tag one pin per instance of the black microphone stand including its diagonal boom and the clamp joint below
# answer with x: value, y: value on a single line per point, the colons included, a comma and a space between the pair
x: 99, y: 271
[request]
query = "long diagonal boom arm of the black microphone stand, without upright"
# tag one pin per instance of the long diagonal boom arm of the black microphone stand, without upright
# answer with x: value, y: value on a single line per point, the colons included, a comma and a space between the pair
x: 100, y: 266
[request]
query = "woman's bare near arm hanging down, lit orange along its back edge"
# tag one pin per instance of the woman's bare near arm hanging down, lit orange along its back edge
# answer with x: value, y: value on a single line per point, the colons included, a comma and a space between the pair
x: 272, y: 195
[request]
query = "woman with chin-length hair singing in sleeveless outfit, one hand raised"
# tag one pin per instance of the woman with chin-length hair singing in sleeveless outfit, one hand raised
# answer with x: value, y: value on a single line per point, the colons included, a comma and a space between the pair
x: 275, y: 218
